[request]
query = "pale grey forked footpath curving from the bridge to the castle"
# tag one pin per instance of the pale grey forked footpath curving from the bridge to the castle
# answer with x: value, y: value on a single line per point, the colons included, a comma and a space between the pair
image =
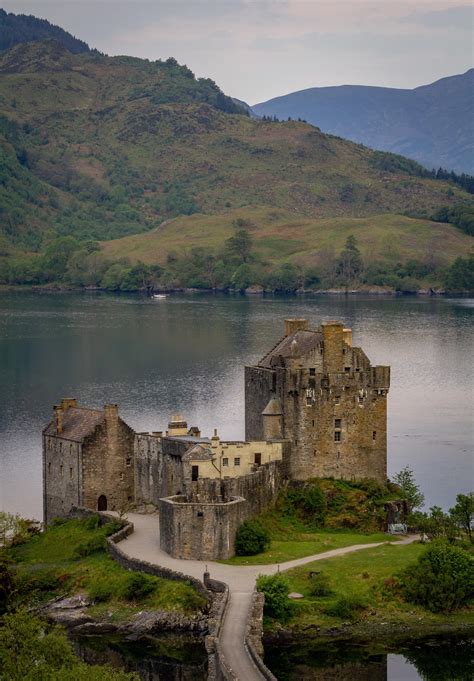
x: 144, y: 544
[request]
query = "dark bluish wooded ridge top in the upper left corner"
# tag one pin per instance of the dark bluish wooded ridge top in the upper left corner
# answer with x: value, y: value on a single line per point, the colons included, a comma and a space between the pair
x: 22, y: 28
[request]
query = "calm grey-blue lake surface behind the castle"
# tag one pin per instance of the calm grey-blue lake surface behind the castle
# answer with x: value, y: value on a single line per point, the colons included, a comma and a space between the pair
x: 187, y: 353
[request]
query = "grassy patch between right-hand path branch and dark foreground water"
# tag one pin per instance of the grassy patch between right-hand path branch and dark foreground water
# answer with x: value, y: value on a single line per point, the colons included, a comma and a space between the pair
x: 363, y: 575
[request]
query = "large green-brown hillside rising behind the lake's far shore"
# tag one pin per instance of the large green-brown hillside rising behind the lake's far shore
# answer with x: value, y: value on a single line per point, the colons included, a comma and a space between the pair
x: 94, y: 148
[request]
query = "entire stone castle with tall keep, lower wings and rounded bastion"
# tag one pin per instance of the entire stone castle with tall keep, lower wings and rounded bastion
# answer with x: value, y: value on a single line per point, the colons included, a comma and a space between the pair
x: 314, y: 407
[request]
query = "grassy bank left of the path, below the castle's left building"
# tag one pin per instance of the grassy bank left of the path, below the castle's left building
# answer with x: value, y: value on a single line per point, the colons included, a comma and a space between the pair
x: 50, y: 564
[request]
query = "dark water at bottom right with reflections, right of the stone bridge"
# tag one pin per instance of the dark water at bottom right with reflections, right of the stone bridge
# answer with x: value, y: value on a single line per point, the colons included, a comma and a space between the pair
x: 429, y: 660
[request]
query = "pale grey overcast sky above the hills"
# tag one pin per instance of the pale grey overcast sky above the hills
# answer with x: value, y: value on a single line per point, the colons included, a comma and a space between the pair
x: 258, y: 49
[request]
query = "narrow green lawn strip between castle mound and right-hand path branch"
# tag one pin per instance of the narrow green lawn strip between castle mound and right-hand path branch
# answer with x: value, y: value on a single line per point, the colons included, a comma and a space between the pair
x: 307, y: 544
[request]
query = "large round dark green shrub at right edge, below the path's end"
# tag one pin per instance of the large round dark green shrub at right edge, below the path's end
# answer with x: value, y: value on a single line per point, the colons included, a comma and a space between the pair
x: 441, y: 580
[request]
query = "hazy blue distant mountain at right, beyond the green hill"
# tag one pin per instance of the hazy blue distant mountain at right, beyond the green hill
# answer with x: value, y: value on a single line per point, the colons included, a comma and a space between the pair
x: 432, y: 124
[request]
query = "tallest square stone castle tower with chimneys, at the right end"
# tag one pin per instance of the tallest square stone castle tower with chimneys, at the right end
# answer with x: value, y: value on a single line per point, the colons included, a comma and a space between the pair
x: 333, y: 403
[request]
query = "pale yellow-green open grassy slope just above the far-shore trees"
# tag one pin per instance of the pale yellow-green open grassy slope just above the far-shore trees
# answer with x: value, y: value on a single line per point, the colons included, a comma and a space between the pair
x: 281, y: 236
